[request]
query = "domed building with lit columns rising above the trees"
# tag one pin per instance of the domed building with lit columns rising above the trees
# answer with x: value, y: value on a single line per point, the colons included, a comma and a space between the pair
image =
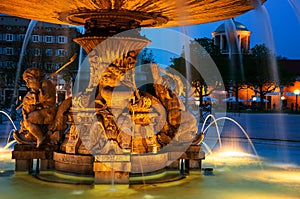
x: 242, y: 36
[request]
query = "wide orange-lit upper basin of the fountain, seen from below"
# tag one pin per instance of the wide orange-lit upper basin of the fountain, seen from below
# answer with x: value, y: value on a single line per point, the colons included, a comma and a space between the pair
x: 148, y: 13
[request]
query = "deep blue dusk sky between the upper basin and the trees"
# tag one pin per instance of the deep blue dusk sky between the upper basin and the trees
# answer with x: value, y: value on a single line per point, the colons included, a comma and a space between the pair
x: 280, y: 22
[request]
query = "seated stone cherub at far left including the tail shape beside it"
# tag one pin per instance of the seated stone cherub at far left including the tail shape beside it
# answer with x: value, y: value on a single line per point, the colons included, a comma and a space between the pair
x: 39, y: 110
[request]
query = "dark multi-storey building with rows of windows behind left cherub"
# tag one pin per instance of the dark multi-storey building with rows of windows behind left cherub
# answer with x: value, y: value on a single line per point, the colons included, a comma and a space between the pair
x: 49, y: 47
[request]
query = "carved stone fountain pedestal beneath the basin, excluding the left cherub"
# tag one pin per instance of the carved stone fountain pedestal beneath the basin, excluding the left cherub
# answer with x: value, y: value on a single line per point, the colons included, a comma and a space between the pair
x: 116, y: 129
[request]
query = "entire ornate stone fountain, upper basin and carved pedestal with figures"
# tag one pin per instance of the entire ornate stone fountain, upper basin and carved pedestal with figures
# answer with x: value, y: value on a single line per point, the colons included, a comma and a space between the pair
x: 112, y: 121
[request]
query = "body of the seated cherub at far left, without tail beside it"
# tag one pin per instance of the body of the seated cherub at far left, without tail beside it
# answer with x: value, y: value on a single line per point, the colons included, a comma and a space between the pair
x: 38, y: 105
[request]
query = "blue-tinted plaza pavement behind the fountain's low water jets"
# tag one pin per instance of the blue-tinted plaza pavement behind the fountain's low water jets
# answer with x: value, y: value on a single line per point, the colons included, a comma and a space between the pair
x: 276, y: 126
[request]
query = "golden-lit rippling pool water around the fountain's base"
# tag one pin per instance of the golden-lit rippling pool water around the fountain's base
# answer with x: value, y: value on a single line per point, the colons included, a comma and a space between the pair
x: 236, y: 174
